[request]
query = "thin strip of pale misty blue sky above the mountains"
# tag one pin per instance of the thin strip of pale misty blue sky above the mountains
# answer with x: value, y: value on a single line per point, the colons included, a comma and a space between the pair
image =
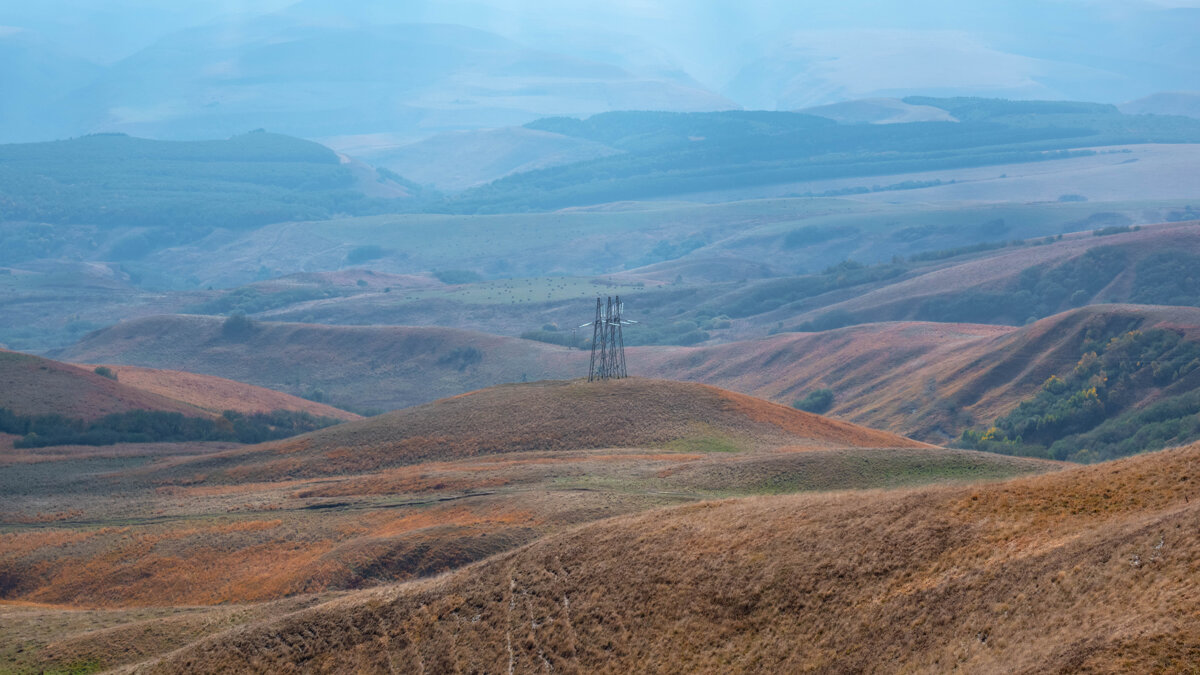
x: 711, y: 40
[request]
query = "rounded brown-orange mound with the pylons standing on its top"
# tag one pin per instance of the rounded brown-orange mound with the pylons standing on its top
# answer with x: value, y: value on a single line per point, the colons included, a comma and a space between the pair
x: 551, y: 416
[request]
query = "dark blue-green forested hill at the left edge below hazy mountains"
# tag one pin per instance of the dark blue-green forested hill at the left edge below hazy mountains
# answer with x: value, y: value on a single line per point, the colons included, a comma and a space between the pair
x: 244, y: 182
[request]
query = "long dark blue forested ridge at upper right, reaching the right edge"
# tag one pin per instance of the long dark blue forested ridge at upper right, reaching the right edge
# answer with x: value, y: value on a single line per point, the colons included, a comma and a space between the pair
x: 668, y: 156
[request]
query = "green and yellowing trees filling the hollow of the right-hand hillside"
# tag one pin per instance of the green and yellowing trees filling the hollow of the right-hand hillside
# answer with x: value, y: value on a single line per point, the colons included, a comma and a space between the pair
x: 1089, y: 415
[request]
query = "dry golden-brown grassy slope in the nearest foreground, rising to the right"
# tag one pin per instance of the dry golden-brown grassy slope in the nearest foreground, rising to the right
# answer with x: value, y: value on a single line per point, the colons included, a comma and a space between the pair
x: 1091, y: 570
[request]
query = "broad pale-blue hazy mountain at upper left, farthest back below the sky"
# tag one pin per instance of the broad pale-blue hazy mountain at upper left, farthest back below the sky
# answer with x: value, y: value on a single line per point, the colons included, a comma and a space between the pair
x: 319, y: 79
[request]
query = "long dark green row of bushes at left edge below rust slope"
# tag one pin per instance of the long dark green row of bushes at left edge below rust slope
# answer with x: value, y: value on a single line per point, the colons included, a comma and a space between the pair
x: 155, y: 427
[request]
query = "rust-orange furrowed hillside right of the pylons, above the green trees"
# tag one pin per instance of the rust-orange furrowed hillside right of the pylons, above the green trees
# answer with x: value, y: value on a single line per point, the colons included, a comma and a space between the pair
x: 925, y: 380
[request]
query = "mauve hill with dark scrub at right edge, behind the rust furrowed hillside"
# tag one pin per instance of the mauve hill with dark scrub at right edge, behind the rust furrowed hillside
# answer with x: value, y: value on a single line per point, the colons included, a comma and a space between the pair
x: 1015, y: 285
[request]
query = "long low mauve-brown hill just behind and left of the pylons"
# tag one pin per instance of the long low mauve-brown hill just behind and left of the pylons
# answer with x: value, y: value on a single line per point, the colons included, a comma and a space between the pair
x: 379, y: 368
